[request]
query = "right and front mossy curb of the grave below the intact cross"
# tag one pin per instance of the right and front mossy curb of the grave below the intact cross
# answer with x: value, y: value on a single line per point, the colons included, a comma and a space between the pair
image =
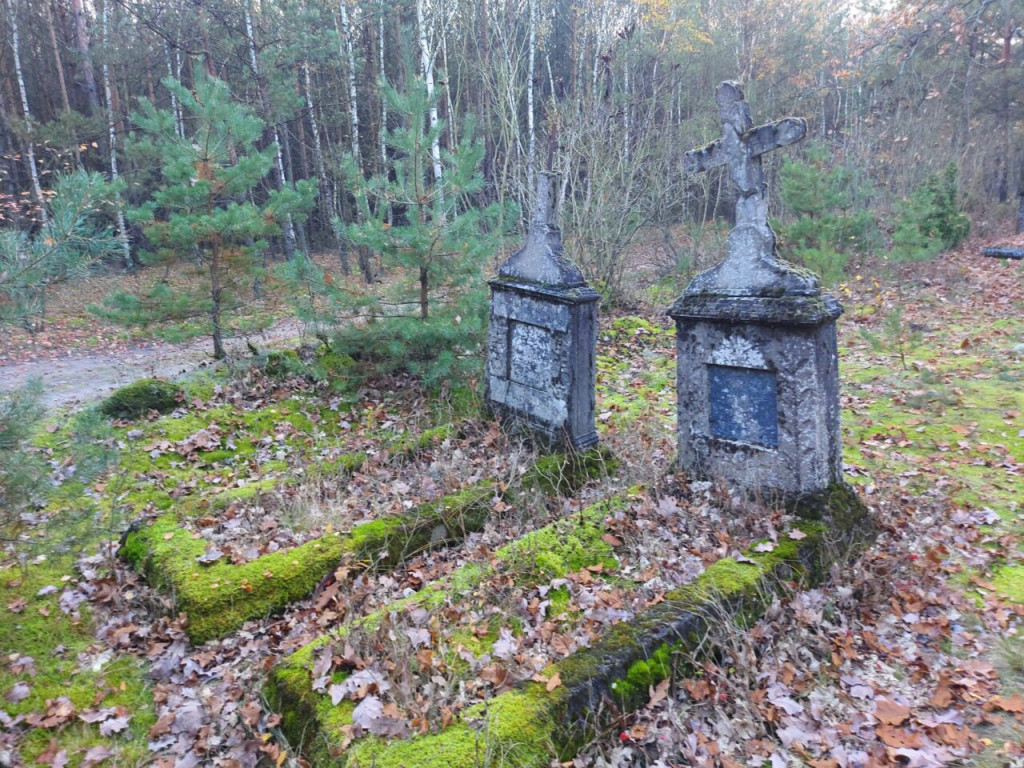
x: 529, y: 727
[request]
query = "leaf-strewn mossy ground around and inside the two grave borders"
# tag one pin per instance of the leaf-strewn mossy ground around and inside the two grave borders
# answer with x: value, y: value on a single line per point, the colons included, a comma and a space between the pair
x: 911, y: 657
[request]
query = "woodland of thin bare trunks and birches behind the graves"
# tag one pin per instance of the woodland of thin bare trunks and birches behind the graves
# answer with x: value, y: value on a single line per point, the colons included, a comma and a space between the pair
x: 894, y: 92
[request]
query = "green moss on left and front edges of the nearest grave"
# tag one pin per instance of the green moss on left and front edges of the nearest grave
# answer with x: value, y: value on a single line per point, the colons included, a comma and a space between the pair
x: 314, y: 726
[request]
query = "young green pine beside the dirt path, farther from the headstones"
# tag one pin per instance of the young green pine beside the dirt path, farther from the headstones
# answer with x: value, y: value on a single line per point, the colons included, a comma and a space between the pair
x: 203, y: 211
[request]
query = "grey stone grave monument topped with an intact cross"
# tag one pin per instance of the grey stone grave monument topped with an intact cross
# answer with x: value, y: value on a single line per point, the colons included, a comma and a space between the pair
x: 758, y: 368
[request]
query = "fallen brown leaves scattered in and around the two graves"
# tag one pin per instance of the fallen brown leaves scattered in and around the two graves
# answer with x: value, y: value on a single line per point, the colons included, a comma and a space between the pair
x: 886, y: 665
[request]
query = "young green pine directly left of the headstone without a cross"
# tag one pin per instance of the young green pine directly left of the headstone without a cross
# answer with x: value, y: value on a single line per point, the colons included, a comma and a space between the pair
x: 429, y: 314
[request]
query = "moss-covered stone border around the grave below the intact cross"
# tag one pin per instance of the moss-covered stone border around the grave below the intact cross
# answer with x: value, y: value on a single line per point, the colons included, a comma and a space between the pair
x: 531, y: 726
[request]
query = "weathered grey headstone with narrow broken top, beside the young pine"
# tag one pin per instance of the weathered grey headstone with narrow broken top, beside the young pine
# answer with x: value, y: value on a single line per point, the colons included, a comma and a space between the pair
x: 542, y: 339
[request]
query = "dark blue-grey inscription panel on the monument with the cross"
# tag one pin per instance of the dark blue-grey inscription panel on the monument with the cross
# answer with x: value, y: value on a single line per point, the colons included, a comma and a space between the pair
x: 744, y: 405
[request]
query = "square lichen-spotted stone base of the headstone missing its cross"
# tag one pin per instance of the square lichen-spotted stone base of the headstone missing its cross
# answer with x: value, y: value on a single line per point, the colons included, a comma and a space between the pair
x: 541, y: 361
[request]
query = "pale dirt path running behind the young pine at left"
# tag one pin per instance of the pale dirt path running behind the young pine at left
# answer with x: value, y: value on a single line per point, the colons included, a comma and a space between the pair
x: 82, y: 378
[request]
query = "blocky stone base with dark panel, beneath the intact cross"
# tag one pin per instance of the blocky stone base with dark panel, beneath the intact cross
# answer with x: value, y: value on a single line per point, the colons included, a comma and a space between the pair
x: 758, y: 393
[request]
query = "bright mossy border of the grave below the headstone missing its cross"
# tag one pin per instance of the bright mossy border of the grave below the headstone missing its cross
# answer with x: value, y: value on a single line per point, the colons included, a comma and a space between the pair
x: 220, y: 598
